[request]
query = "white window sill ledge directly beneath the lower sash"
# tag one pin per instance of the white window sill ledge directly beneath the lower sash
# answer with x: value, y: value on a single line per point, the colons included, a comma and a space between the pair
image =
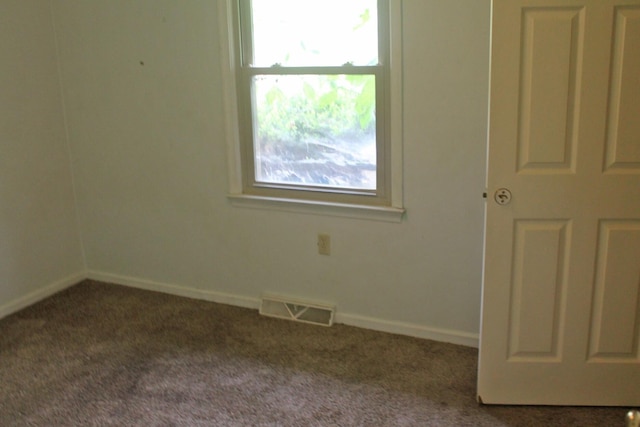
x: 375, y: 213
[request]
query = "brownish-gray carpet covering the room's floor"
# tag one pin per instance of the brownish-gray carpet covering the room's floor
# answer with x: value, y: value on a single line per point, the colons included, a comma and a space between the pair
x: 101, y: 354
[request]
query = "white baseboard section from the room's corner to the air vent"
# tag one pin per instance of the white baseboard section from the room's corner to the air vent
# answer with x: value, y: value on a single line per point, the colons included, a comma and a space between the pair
x: 219, y: 297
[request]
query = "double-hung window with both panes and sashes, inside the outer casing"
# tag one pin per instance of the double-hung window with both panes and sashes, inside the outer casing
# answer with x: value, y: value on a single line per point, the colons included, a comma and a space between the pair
x: 314, y: 86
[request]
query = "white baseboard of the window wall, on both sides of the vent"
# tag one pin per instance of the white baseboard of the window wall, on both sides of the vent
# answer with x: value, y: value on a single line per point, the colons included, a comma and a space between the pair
x: 409, y: 329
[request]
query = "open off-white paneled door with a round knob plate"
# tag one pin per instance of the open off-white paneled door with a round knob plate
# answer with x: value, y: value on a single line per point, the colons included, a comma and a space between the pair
x: 561, y: 292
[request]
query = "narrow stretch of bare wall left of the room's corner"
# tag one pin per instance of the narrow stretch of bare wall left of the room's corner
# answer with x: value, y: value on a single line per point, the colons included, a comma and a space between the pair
x: 39, y: 241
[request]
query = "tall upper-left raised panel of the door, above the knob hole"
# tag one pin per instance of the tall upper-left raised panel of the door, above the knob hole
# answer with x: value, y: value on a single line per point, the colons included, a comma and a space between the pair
x: 552, y: 40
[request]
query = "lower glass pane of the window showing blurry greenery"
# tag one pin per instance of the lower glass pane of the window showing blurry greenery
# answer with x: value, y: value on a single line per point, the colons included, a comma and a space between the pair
x: 315, y: 130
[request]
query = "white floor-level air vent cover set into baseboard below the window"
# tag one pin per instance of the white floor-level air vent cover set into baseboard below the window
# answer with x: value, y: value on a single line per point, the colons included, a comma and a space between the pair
x: 284, y: 308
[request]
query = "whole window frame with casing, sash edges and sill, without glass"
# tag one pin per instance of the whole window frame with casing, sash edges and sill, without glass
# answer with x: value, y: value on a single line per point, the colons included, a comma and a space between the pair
x: 386, y: 204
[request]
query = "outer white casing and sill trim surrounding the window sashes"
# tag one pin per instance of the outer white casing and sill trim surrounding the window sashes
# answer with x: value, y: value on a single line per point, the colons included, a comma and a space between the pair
x: 391, y: 207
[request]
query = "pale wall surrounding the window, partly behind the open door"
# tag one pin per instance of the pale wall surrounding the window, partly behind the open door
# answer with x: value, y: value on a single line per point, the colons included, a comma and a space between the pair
x: 143, y: 90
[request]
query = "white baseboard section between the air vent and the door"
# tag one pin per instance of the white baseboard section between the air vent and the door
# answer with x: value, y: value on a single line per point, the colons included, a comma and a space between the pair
x: 410, y: 329
